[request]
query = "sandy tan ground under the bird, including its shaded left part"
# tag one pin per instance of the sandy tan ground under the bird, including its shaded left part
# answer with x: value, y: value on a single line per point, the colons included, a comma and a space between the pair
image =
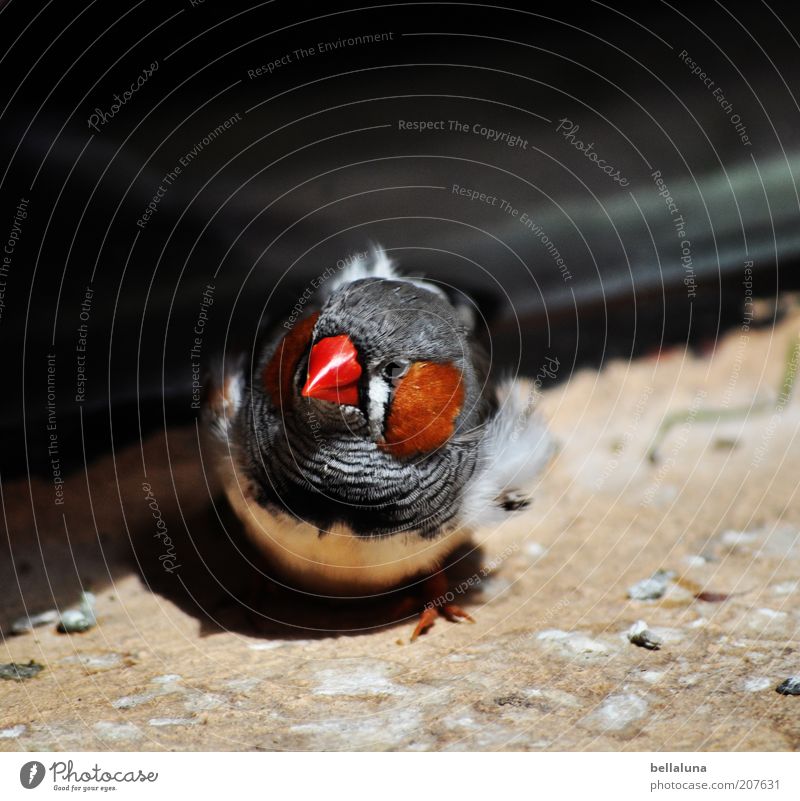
x: 177, y: 662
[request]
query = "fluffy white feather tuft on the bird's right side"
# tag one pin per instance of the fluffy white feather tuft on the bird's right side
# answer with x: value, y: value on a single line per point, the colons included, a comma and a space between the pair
x: 515, y: 448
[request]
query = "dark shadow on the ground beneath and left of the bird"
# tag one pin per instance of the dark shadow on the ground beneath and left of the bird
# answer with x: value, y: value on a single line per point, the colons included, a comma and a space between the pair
x: 106, y: 530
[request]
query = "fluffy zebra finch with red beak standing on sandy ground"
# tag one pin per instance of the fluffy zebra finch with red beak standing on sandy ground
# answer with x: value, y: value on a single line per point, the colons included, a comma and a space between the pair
x: 364, y: 440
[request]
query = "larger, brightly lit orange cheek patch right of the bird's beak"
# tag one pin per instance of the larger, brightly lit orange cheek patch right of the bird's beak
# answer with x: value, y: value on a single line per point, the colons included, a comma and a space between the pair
x: 424, y: 409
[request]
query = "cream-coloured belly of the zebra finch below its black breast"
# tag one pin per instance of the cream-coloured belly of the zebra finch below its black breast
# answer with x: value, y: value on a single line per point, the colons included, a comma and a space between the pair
x: 338, y: 562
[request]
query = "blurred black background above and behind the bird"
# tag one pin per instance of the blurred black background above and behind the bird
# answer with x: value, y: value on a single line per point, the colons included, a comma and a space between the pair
x: 317, y: 169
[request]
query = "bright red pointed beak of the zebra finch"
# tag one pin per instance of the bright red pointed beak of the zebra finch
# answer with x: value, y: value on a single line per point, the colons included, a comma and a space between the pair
x: 333, y: 371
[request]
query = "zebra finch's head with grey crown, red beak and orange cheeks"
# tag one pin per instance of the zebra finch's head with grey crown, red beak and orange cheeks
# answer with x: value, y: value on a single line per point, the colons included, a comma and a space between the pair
x: 388, y: 360
